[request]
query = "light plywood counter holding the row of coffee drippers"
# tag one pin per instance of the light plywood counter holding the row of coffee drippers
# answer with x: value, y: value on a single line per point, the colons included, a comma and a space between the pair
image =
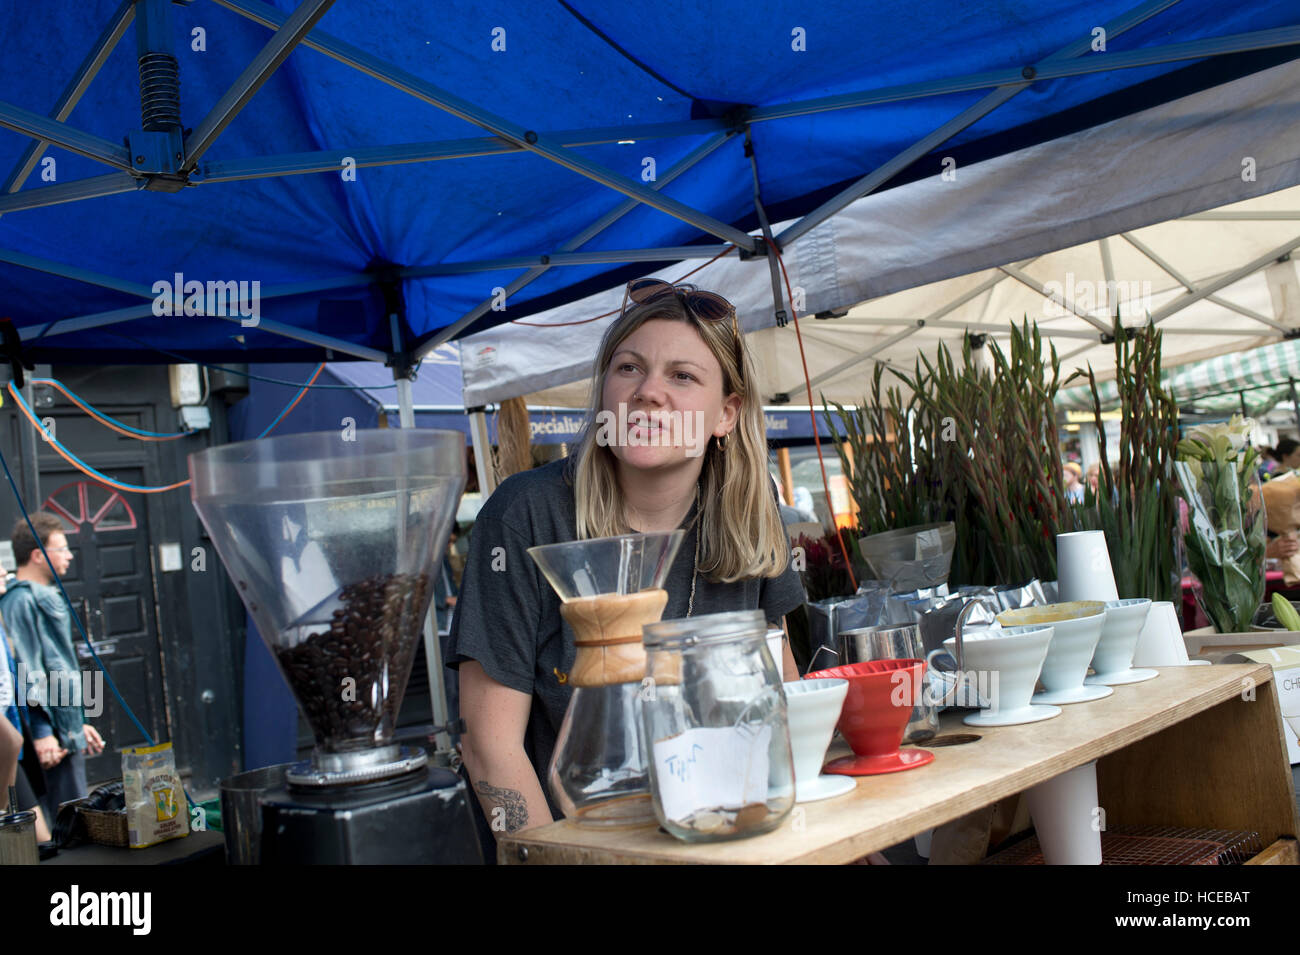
x: 1198, y: 746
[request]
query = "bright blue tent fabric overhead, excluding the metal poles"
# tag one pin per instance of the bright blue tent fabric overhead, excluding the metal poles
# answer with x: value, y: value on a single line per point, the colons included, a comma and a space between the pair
x: 545, y: 68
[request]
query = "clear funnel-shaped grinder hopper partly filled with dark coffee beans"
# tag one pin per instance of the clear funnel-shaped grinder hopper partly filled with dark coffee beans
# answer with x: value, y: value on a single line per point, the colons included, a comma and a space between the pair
x: 333, y: 544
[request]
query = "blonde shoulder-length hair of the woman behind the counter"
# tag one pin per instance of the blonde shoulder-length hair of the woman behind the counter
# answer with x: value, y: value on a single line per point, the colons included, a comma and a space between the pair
x: 740, y: 528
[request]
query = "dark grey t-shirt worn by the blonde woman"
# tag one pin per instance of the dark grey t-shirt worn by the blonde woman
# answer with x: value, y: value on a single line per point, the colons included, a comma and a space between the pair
x: 509, y: 619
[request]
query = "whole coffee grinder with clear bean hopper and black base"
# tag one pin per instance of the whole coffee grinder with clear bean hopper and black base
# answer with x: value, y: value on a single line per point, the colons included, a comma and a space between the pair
x: 333, y: 541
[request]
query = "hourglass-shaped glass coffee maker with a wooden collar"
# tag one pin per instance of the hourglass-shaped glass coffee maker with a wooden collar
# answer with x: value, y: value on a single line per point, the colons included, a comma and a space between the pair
x: 610, y: 589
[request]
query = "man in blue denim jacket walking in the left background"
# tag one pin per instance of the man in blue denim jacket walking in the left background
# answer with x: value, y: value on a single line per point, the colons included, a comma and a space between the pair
x: 40, y: 622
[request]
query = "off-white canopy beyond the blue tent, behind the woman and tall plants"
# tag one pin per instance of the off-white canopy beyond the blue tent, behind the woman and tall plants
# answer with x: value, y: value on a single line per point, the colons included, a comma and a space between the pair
x: 1113, y: 214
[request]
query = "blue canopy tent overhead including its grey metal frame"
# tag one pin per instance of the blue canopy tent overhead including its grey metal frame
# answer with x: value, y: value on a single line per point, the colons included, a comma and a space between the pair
x: 235, y: 181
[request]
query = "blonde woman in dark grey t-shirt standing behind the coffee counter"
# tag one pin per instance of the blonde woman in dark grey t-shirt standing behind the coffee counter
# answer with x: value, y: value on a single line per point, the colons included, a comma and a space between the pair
x: 675, y: 439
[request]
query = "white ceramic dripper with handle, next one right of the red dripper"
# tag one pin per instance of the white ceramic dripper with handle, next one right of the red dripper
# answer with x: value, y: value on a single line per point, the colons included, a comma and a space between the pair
x: 1009, y: 663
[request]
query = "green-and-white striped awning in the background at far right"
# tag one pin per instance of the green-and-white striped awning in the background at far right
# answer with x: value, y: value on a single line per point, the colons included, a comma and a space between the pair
x: 1215, y: 385
